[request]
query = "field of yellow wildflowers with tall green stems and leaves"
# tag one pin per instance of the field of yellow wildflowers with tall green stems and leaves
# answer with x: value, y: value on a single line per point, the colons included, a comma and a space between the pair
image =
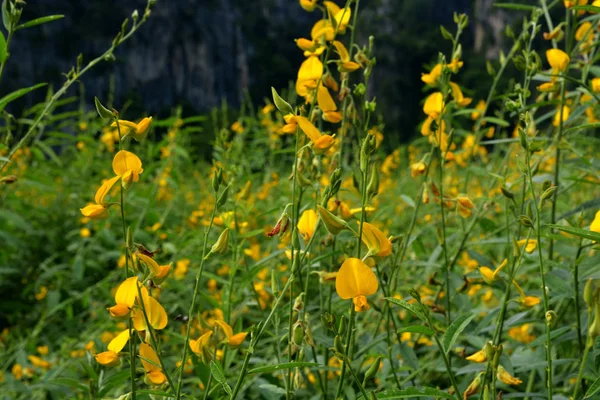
x: 304, y: 258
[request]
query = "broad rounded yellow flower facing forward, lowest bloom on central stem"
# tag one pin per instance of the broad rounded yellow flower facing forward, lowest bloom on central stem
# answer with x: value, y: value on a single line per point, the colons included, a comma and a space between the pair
x: 355, y: 280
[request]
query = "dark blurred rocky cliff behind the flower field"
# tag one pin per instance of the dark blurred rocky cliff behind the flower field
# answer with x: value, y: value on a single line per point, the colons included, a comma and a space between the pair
x: 200, y: 53
